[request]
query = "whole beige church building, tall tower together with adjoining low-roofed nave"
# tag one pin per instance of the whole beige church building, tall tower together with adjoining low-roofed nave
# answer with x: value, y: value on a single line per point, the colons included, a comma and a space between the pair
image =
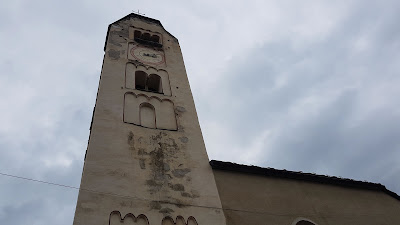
x: 146, y: 161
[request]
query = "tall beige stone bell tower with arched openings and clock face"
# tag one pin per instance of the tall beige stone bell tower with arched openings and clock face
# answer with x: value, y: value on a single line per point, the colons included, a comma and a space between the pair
x: 146, y: 161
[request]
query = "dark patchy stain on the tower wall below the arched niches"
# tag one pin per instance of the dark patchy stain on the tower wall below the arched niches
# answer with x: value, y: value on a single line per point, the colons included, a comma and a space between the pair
x: 162, y: 159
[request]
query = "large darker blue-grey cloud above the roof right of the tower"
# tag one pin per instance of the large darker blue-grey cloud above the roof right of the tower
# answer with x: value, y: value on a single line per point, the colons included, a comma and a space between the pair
x: 346, y: 122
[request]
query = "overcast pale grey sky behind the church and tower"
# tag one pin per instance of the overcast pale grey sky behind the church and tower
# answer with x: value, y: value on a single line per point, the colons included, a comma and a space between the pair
x: 307, y: 86
